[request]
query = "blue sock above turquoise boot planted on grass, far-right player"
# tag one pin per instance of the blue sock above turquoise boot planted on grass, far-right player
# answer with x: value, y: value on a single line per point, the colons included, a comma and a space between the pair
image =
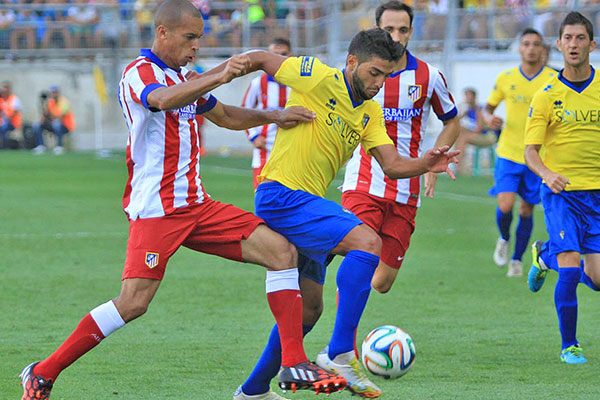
x: 565, y: 299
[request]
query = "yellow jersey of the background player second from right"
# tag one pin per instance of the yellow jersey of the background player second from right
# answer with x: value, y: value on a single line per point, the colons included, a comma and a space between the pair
x: 516, y: 90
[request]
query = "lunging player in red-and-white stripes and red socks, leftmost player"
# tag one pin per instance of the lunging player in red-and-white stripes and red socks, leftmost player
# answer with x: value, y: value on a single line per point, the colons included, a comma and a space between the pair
x: 168, y: 208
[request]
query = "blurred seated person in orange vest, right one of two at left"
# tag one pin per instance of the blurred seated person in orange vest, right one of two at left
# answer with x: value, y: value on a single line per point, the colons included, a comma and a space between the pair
x: 57, y: 118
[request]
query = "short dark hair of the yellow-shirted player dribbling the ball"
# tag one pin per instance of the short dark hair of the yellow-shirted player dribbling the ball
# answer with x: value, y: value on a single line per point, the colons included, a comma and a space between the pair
x: 375, y: 42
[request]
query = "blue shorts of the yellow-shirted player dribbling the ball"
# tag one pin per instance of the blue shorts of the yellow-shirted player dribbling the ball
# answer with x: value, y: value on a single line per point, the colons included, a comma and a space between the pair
x: 313, y: 224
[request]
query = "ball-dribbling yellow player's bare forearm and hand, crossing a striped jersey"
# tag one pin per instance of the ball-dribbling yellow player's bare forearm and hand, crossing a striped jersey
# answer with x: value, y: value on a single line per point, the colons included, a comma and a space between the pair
x: 398, y: 167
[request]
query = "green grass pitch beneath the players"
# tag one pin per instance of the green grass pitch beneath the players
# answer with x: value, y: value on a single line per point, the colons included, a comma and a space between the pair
x: 63, y: 235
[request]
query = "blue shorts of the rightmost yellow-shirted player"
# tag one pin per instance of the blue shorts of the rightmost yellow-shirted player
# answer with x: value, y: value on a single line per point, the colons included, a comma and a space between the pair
x: 572, y: 220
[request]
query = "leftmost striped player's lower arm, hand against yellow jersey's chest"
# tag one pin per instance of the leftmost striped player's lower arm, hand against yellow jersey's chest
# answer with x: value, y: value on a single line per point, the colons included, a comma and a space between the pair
x: 239, y: 118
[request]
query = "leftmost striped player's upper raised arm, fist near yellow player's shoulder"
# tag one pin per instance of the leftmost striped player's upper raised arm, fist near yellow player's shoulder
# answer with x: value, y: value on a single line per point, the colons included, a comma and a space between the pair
x: 183, y: 94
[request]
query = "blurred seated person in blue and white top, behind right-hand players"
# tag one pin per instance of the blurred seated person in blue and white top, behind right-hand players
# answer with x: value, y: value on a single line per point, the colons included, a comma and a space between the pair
x: 472, y: 128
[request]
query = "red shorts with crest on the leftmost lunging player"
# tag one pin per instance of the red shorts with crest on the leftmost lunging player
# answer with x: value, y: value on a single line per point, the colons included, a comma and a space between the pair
x: 209, y: 227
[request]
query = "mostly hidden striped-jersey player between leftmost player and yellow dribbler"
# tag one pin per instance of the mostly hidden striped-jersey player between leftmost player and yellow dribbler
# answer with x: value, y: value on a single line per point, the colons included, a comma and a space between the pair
x: 264, y: 93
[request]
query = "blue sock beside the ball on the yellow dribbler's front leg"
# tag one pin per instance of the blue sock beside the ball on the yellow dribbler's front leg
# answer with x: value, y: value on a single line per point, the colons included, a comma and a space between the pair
x: 354, y: 285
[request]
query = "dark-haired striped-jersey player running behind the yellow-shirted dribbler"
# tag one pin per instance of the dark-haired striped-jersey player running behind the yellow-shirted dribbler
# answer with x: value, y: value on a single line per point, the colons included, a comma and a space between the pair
x: 407, y: 98
